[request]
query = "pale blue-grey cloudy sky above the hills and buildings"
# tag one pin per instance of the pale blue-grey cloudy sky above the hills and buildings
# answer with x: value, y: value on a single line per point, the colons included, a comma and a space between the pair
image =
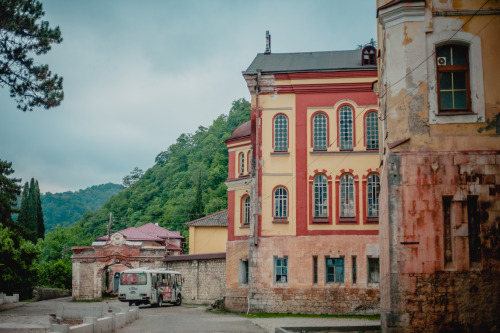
x: 138, y: 74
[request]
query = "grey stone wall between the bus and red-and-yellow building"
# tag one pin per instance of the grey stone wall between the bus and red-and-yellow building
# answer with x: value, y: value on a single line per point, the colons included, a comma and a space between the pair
x: 204, y: 279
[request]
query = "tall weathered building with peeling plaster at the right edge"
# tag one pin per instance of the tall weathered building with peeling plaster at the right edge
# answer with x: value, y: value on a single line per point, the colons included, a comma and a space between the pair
x: 439, y: 97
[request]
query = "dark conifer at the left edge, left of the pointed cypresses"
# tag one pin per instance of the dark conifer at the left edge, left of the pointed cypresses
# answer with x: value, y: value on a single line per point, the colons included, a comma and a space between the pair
x: 9, y: 191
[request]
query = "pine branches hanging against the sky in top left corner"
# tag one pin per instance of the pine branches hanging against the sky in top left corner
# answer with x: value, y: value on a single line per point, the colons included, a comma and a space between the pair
x: 22, y: 33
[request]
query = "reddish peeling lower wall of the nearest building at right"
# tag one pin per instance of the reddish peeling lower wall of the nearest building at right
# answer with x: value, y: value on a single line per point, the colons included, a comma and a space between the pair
x: 429, y: 284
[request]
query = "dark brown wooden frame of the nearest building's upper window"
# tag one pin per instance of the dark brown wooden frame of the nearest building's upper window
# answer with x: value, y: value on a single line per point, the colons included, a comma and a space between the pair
x: 454, y: 69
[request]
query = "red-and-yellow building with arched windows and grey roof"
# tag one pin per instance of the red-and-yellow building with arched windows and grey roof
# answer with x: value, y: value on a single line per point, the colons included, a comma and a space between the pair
x: 303, y: 186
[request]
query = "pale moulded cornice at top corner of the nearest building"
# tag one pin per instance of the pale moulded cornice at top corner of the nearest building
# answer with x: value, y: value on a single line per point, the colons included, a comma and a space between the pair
x: 402, y: 12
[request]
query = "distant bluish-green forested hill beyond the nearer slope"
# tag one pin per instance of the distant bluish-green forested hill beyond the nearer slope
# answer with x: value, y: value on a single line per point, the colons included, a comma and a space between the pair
x: 68, y: 207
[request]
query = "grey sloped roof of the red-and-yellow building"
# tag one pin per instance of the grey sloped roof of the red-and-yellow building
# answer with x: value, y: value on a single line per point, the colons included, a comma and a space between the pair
x: 308, y: 62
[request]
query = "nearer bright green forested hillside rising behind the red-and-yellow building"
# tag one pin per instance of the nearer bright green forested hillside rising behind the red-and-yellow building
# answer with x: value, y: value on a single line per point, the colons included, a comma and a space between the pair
x: 185, y: 183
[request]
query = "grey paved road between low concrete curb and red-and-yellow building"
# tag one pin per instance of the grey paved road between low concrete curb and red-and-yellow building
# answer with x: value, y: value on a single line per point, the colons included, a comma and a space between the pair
x: 188, y: 319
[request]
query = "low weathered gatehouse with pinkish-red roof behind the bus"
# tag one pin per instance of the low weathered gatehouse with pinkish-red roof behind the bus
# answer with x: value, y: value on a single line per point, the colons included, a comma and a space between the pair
x: 96, y: 268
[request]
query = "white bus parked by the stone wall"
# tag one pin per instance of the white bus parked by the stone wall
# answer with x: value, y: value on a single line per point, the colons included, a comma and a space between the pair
x: 150, y: 286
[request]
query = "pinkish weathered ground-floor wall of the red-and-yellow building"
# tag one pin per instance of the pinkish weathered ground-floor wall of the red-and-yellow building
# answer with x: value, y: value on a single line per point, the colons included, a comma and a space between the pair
x: 300, y: 294
